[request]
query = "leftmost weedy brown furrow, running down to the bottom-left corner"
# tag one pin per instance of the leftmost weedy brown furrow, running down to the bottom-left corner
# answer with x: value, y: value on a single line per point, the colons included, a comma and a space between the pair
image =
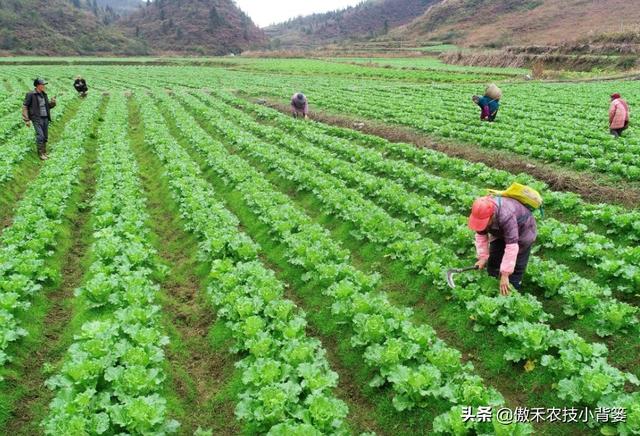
x: 25, y: 398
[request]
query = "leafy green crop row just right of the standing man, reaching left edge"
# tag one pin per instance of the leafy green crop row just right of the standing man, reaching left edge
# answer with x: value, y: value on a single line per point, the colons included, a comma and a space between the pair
x: 29, y: 241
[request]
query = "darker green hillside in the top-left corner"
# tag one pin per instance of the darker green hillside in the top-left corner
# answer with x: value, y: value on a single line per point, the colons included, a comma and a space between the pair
x: 62, y: 27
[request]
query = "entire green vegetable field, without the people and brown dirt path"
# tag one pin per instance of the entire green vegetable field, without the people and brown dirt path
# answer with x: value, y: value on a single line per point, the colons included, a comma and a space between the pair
x: 192, y: 261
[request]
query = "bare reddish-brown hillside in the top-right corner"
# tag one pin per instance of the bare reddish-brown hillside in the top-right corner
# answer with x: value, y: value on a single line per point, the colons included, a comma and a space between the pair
x: 499, y: 23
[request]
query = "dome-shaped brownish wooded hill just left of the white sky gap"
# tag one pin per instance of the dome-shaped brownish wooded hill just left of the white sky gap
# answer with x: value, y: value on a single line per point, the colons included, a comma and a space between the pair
x: 212, y: 27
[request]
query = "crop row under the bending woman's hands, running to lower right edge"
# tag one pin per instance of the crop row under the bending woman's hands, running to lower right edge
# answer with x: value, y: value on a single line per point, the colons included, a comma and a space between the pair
x: 583, y: 373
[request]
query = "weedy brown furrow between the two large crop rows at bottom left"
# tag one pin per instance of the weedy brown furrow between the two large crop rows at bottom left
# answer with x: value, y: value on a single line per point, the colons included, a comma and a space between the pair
x: 203, y: 381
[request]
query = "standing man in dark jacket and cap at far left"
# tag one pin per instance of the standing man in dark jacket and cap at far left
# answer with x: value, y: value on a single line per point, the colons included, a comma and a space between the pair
x: 36, y: 109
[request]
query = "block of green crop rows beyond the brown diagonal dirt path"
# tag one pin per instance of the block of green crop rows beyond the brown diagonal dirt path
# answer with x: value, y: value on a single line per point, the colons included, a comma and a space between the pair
x: 565, y: 132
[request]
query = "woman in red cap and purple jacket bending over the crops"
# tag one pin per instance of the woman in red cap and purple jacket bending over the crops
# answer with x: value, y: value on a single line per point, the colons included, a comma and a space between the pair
x: 505, y: 232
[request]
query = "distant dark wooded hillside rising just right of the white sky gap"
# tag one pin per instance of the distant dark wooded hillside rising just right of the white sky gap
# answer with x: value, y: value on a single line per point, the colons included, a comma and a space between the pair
x: 368, y: 19
